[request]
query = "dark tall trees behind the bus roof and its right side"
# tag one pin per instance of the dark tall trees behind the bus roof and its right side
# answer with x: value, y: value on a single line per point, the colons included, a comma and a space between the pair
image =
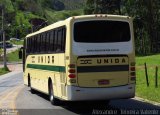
x: 146, y: 17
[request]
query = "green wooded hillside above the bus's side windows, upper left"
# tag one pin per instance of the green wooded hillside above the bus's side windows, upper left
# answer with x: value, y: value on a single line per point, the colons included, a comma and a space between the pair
x: 19, y: 13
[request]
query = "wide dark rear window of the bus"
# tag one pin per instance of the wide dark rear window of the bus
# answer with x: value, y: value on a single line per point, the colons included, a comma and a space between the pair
x: 101, y: 31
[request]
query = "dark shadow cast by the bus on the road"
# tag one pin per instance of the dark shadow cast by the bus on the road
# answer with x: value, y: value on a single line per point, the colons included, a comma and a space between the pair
x: 122, y: 106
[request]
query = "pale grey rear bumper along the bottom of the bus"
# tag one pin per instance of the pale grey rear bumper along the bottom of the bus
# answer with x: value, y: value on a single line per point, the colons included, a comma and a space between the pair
x: 80, y: 93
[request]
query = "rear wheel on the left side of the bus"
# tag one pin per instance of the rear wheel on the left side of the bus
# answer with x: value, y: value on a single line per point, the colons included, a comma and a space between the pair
x: 53, y: 100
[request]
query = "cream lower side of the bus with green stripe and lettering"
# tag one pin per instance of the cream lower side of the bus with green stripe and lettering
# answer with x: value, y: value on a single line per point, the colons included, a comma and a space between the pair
x: 40, y: 72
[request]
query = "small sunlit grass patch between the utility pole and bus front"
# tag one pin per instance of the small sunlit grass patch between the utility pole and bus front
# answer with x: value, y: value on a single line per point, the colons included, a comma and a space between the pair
x: 13, y: 57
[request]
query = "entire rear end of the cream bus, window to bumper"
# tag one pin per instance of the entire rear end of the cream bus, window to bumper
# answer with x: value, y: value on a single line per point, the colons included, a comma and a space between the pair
x: 102, y: 59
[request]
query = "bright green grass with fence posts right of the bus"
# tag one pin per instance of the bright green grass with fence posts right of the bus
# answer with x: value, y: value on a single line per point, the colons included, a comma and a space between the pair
x: 150, y: 93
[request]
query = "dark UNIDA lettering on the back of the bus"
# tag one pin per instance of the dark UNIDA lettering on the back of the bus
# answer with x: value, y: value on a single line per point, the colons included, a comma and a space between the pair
x: 116, y: 60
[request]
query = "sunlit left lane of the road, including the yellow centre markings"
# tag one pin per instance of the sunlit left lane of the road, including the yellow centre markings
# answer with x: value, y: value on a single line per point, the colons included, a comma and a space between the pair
x: 10, y: 86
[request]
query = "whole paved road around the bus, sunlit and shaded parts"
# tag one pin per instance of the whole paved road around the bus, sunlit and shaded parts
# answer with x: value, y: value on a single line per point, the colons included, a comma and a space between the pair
x: 14, y: 95
